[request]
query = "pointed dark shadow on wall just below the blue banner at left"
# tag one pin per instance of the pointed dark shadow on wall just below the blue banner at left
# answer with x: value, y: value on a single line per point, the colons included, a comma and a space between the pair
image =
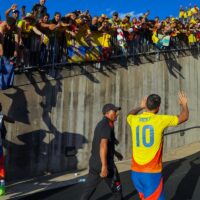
x: 19, y: 106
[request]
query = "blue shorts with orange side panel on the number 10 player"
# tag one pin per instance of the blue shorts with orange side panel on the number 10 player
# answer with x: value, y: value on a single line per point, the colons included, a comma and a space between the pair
x: 148, y: 185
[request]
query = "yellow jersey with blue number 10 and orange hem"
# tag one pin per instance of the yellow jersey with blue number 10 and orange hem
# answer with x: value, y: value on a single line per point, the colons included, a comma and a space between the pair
x: 147, y: 140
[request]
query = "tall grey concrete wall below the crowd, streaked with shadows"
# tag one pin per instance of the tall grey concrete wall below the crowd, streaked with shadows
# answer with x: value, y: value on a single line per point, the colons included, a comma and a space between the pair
x: 55, y: 119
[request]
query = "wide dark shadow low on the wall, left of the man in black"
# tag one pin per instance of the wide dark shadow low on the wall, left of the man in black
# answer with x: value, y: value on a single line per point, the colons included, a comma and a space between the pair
x: 41, y: 152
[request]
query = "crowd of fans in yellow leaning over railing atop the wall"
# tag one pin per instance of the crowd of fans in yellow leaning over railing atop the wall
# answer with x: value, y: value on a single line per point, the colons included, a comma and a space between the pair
x: 33, y: 38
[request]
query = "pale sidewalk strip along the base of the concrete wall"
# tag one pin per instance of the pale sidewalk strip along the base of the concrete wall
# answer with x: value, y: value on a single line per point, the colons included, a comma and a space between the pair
x: 49, y: 182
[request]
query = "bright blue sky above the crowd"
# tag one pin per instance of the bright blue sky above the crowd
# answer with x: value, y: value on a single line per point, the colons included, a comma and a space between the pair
x: 160, y: 8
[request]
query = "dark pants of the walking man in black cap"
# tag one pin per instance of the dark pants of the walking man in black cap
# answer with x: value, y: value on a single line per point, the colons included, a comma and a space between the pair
x: 113, y: 182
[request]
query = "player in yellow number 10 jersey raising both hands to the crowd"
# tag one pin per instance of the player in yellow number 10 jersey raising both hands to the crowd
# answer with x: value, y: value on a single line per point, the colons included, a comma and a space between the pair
x: 147, y: 144
